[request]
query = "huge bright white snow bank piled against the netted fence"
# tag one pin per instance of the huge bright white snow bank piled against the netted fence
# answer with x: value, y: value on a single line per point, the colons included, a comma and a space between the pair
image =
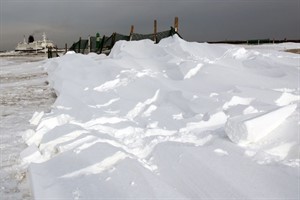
x: 149, y: 121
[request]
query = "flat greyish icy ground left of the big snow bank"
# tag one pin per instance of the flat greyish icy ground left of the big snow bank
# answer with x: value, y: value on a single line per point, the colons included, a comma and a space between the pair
x: 23, y: 91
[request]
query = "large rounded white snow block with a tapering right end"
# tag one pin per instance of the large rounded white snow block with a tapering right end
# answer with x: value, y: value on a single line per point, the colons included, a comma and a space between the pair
x: 253, y: 127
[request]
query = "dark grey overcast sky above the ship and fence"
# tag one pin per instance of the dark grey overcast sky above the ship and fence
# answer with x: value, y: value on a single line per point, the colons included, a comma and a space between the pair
x: 64, y: 21
